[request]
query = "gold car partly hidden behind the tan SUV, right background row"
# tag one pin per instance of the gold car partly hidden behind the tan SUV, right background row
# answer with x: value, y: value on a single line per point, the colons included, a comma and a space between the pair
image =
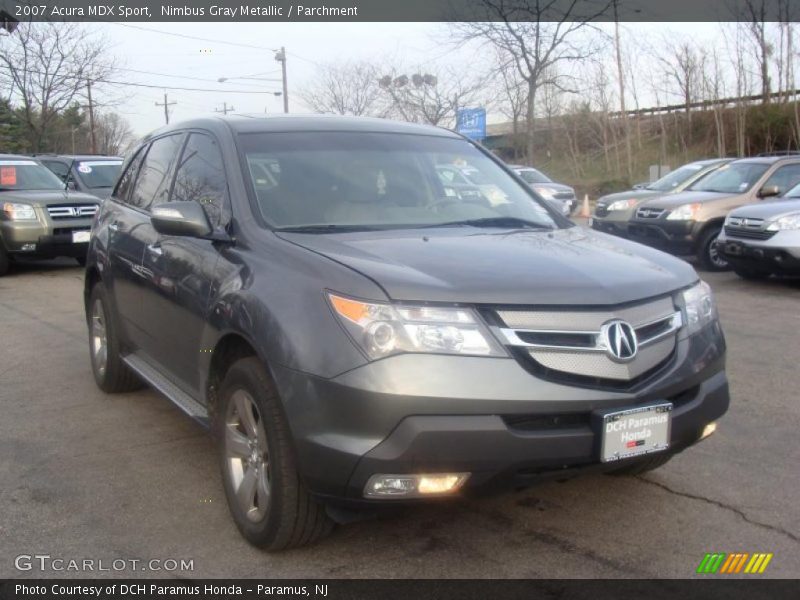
x: 613, y: 211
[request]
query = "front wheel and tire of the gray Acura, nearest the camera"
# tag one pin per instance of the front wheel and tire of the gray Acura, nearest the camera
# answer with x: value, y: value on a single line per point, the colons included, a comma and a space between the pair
x: 275, y: 511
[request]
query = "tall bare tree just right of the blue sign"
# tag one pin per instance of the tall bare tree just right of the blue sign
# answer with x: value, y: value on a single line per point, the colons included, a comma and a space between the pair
x: 537, y: 35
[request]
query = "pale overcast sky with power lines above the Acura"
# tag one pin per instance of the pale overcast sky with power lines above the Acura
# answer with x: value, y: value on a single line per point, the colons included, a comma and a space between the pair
x: 139, y: 49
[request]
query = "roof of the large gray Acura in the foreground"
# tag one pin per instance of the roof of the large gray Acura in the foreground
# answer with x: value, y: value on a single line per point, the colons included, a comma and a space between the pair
x: 292, y: 123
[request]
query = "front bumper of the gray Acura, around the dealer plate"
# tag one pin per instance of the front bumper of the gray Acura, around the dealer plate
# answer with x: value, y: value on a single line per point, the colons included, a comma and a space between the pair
x: 486, y: 416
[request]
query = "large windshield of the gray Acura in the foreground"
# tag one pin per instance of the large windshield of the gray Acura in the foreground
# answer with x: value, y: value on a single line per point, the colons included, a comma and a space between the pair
x: 341, y: 180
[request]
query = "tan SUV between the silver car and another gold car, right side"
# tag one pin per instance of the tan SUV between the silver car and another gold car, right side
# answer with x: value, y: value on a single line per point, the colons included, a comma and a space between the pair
x: 687, y: 224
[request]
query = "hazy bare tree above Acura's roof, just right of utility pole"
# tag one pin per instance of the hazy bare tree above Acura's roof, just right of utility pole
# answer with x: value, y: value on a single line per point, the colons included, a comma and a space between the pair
x: 349, y: 88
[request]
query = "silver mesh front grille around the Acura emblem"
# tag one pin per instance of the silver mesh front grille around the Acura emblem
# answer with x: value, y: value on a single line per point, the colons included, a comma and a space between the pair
x: 572, y: 343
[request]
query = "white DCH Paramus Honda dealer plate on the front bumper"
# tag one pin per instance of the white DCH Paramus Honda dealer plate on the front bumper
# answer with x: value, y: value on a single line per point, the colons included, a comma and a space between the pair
x: 635, y: 431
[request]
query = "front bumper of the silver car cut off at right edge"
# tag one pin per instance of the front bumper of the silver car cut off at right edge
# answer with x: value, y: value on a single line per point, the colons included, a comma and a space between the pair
x: 778, y: 254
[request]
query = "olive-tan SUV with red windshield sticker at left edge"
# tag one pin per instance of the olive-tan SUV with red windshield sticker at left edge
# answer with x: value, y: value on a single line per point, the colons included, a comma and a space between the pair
x: 40, y: 218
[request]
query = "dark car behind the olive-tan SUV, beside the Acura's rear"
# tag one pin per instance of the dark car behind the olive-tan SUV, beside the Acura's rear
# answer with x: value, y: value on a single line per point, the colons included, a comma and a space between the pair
x: 91, y: 174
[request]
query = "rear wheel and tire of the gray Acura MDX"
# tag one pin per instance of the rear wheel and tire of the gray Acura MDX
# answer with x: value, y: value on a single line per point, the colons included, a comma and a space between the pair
x: 110, y: 373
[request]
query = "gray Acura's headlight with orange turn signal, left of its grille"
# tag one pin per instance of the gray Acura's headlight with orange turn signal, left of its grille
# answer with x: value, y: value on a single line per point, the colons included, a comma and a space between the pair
x: 382, y: 329
